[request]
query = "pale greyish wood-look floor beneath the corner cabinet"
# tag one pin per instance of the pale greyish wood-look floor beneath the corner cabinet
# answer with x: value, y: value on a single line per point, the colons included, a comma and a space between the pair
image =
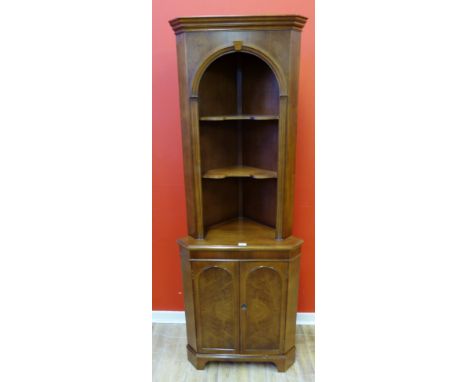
x: 170, y: 360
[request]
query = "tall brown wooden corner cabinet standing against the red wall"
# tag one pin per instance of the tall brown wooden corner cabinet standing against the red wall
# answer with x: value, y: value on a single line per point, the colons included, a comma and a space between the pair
x: 238, y: 79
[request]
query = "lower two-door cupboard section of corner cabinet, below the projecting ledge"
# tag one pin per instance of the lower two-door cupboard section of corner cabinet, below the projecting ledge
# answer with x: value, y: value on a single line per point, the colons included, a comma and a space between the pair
x: 241, y: 310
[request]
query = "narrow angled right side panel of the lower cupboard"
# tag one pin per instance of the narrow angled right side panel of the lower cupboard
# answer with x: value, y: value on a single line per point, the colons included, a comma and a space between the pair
x: 291, y: 308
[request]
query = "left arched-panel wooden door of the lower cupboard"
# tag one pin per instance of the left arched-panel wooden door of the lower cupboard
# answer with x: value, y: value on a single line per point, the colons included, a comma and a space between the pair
x: 216, y: 291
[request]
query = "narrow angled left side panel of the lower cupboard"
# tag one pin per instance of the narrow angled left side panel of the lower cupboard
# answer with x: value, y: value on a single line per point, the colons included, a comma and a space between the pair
x: 188, y: 299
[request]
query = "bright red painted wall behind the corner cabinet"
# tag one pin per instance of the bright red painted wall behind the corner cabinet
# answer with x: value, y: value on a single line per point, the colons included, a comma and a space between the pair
x: 169, y: 215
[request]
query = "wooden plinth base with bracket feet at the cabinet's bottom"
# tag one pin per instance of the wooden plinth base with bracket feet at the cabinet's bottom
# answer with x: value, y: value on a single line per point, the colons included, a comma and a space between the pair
x: 282, y: 361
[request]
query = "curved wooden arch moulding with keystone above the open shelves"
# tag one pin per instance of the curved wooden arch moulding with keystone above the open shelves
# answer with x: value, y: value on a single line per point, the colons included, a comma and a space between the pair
x: 240, y: 48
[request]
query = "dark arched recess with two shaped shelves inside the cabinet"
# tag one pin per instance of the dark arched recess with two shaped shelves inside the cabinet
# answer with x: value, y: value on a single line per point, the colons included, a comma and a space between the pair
x: 238, y: 108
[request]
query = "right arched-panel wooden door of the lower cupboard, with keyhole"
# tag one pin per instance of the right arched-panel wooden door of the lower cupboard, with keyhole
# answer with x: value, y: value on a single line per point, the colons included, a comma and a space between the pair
x: 263, y: 288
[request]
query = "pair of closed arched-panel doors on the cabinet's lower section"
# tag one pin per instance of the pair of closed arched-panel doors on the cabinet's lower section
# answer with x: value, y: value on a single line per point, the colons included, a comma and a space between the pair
x: 240, y: 306
